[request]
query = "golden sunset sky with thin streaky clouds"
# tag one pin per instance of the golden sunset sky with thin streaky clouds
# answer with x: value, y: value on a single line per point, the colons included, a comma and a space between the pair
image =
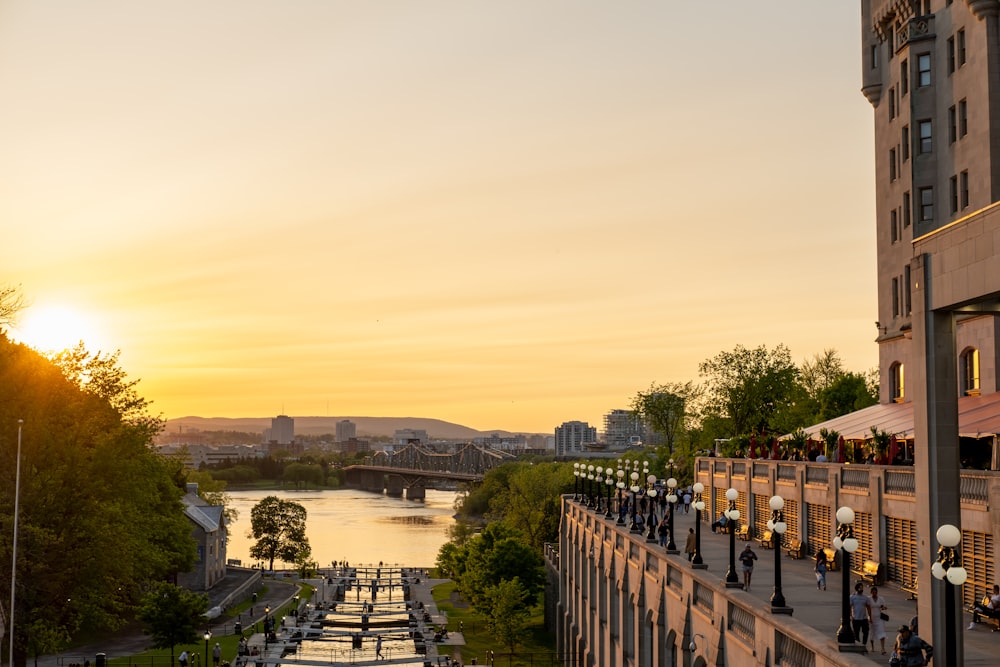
x: 502, y: 214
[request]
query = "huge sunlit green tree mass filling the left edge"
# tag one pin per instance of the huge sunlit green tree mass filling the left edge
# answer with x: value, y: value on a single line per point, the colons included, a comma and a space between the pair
x: 90, y: 485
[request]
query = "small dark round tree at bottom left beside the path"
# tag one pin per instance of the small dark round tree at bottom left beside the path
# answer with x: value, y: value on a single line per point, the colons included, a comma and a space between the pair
x: 173, y: 615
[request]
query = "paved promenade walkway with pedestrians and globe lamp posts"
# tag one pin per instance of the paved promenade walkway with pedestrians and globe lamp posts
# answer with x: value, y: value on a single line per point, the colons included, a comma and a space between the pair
x: 822, y: 609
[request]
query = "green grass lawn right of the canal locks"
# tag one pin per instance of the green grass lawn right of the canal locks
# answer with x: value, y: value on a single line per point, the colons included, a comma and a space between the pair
x: 538, y: 648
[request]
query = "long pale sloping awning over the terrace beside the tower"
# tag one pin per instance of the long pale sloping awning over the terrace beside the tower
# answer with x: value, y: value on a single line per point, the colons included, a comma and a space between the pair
x: 978, y: 417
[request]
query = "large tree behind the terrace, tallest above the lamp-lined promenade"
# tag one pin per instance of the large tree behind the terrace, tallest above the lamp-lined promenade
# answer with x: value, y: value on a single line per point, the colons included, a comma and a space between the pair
x: 748, y: 387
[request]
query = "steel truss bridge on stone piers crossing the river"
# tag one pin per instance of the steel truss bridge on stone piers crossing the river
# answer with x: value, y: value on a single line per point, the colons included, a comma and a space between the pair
x: 405, y: 472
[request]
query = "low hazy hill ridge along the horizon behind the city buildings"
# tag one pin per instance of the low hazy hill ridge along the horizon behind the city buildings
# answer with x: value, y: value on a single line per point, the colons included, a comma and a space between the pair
x: 366, y: 426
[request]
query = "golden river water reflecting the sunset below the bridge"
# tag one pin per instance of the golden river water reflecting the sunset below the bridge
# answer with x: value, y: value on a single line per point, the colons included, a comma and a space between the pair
x: 357, y: 526
